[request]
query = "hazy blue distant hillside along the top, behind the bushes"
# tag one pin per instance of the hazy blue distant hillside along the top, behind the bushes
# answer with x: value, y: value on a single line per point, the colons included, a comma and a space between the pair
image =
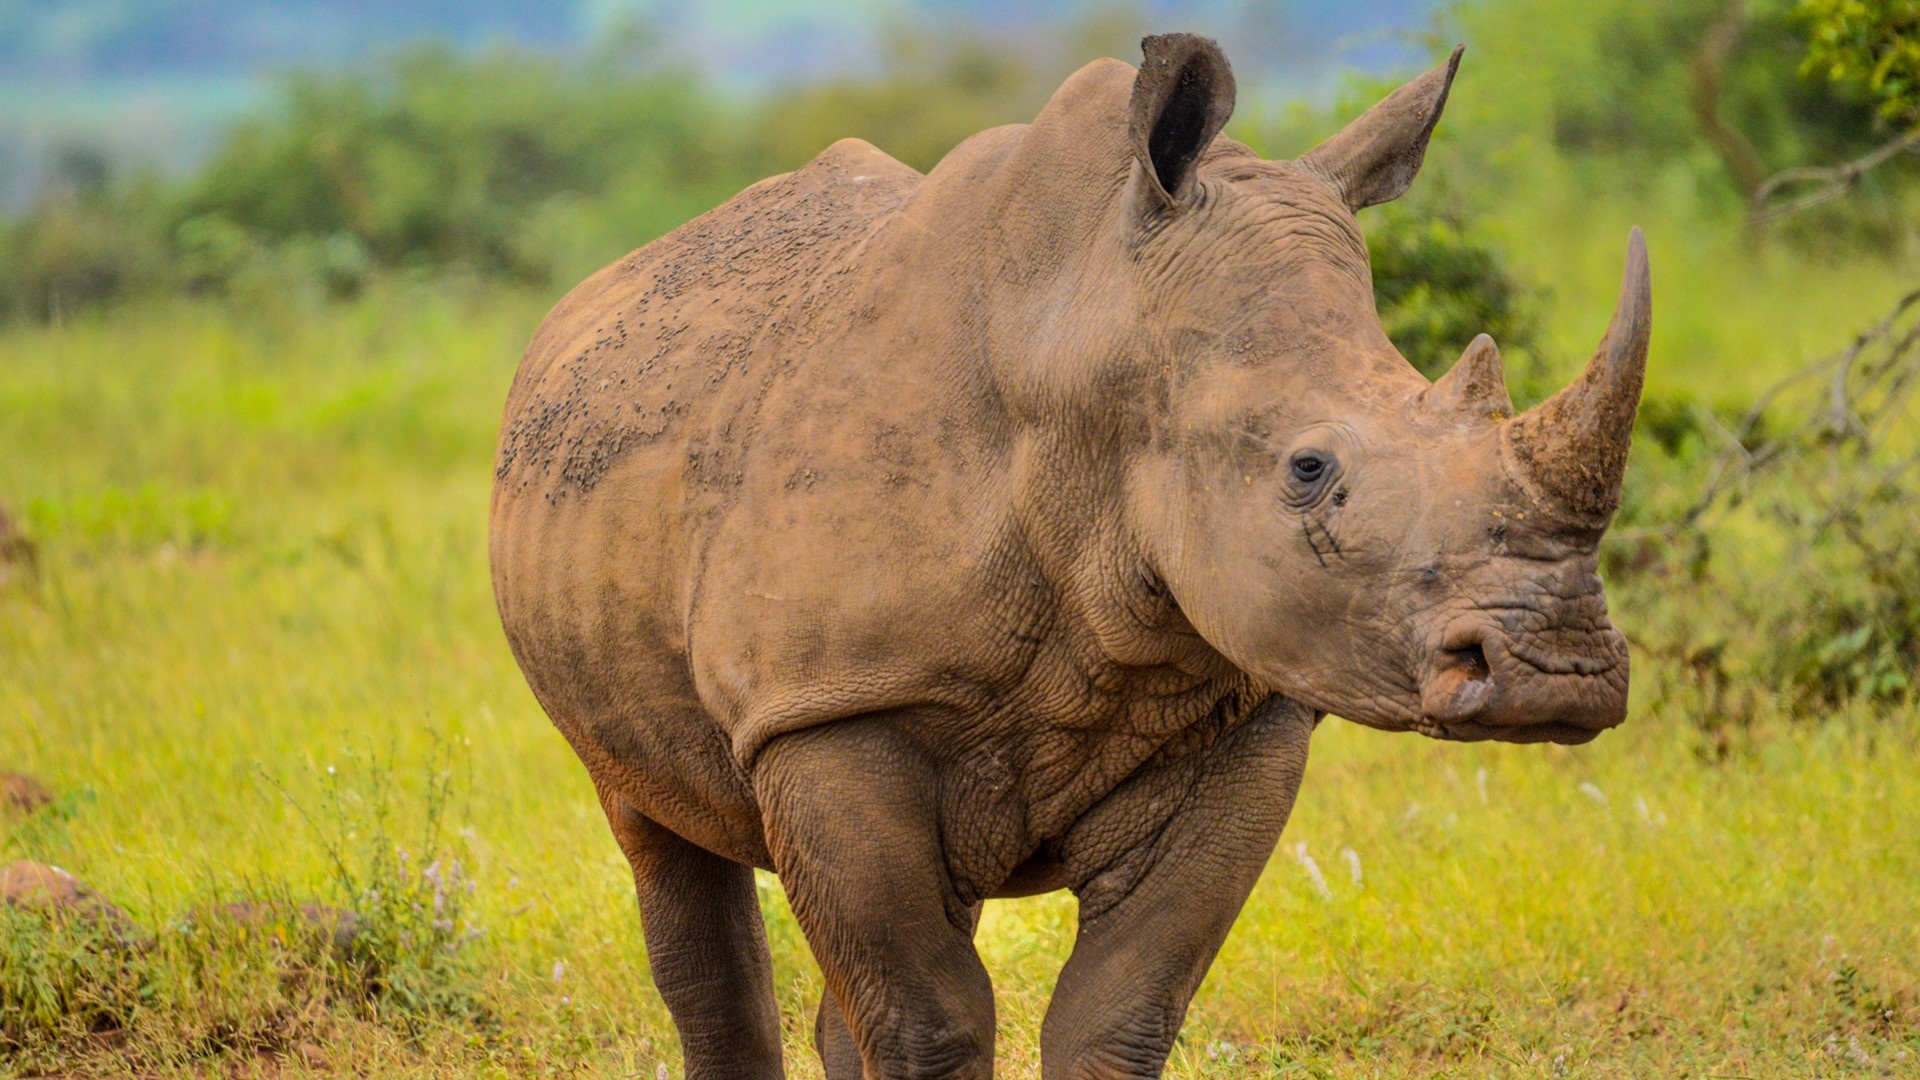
x: 155, y: 82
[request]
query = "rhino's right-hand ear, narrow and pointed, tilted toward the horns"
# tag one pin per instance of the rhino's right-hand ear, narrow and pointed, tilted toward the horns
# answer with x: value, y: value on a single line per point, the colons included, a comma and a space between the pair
x: 1374, y: 159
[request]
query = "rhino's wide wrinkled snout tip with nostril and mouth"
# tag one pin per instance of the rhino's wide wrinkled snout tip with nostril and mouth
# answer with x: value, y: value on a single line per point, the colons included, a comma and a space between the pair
x: 1479, y: 685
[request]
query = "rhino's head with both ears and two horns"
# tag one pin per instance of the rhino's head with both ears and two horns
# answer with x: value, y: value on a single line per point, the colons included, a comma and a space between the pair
x: 1408, y: 554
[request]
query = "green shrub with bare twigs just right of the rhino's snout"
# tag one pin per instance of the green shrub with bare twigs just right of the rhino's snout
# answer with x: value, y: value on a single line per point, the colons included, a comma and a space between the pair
x: 1800, y: 526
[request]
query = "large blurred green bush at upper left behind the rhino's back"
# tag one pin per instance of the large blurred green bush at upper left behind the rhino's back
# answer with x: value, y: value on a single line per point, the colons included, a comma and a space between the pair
x: 433, y: 159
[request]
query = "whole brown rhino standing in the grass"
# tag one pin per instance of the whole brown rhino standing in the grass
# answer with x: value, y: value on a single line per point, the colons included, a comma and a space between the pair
x: 932, y: 539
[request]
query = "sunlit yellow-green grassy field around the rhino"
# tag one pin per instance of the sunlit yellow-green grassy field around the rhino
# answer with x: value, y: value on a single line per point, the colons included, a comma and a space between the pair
x: 260, y: 660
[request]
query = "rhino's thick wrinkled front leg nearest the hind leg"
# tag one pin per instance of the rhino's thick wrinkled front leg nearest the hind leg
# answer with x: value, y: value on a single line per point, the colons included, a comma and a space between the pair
x: 853, y: 825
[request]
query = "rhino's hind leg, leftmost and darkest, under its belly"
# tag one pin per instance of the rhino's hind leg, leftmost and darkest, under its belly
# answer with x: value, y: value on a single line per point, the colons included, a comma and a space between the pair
x: 708, y: 948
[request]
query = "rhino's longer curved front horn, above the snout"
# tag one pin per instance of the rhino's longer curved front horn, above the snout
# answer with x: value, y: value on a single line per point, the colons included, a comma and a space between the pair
x: 1573, y: 447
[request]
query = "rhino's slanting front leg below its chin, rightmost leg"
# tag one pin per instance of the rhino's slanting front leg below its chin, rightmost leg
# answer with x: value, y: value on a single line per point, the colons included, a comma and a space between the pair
x: 1155, y: 916
